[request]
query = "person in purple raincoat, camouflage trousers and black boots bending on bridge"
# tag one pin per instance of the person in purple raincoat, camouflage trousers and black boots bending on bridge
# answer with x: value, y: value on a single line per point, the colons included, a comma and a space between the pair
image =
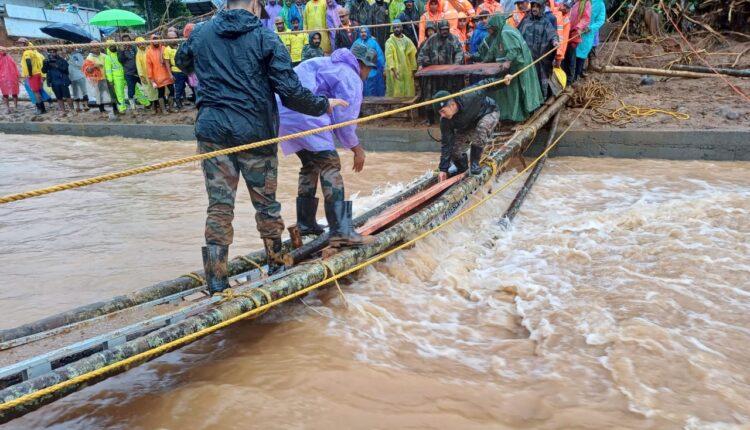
x: 340, y: 76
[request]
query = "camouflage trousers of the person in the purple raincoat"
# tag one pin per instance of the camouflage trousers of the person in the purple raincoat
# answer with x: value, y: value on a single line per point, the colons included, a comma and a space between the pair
x: 324, y: 166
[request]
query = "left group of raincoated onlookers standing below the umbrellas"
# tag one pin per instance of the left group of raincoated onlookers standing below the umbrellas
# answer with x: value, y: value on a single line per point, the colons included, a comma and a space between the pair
x: 121, y: 76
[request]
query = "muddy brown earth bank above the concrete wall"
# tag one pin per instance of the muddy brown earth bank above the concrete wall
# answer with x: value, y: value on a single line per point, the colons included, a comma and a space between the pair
x: 710, y: 103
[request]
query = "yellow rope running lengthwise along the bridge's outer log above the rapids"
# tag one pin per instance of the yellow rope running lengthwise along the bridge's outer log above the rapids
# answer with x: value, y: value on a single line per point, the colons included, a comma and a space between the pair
x: 169, y: 346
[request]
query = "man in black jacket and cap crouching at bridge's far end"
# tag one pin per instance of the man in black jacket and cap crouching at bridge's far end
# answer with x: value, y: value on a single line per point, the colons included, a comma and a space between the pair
x: 466, y: 120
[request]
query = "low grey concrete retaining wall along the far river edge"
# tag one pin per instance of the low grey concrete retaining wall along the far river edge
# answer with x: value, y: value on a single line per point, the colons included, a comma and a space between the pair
x: 618, y: 143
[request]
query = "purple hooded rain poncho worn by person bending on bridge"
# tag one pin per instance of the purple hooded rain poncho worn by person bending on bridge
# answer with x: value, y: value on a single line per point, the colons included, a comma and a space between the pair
x: 336, y: 76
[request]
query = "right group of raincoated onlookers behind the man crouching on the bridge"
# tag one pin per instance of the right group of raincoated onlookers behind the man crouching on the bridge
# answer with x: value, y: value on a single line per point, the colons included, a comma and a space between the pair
x: 410, y: 34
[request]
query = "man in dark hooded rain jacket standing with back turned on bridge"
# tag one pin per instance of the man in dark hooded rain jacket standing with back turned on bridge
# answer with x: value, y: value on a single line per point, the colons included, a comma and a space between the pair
x: 240, y: 65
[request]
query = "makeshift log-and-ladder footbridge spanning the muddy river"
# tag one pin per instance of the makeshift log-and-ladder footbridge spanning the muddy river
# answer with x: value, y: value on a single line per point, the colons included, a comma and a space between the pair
x: 51, y: 358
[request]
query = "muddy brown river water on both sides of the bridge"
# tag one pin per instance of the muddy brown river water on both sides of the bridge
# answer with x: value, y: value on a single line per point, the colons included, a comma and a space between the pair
x: 620, y: 298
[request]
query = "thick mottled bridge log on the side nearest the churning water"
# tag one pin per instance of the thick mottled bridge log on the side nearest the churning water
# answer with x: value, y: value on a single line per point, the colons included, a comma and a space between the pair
x: 299, y: 279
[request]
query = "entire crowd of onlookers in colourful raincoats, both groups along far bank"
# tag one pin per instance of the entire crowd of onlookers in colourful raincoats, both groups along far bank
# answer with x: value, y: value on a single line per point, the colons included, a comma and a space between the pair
x: 406, y: 35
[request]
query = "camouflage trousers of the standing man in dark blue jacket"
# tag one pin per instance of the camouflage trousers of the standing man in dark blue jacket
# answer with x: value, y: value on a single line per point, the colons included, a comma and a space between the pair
x: 222, y: 175
